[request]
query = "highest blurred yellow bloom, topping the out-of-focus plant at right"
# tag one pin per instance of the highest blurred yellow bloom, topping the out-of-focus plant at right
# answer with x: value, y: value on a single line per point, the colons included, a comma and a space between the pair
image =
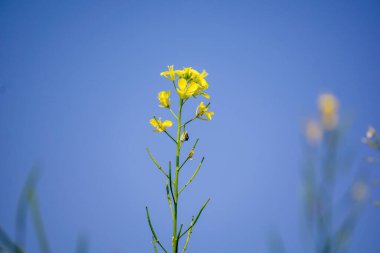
x: 328, y: 107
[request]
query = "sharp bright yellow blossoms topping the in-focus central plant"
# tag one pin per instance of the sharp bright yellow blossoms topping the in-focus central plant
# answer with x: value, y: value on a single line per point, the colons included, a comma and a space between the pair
x: 188, y: 82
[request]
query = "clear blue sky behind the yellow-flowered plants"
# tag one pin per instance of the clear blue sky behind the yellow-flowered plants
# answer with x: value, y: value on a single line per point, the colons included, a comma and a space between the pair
x: 79, y: 81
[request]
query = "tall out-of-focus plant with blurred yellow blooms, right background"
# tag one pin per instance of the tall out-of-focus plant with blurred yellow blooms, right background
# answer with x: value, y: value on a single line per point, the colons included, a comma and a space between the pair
x: 324, y: 177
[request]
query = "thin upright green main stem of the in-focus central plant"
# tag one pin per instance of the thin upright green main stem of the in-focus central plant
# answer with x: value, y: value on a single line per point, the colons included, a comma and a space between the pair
x: 175, y: 236
